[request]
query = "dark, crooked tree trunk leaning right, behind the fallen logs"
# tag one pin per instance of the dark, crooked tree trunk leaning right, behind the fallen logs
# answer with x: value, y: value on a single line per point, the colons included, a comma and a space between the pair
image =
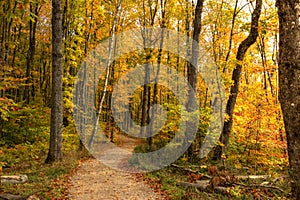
x: 243, y: 47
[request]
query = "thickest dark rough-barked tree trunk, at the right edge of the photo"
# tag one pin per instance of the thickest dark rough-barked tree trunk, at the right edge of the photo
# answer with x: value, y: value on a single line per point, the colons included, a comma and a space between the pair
x: 289, y: 83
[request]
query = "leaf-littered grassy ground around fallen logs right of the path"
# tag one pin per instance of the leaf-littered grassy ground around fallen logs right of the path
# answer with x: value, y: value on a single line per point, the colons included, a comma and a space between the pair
x: 167, y: 180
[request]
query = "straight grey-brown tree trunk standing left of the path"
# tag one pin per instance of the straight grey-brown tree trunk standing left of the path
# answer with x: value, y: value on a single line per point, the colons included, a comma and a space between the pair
x: 55, y: 149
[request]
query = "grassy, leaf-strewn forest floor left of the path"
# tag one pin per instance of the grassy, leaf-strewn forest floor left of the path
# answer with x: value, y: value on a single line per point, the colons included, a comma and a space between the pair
x: 47, y: 181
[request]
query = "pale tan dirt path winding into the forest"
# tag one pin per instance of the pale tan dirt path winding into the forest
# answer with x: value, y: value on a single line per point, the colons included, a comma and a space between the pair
x: 95, y: 181
